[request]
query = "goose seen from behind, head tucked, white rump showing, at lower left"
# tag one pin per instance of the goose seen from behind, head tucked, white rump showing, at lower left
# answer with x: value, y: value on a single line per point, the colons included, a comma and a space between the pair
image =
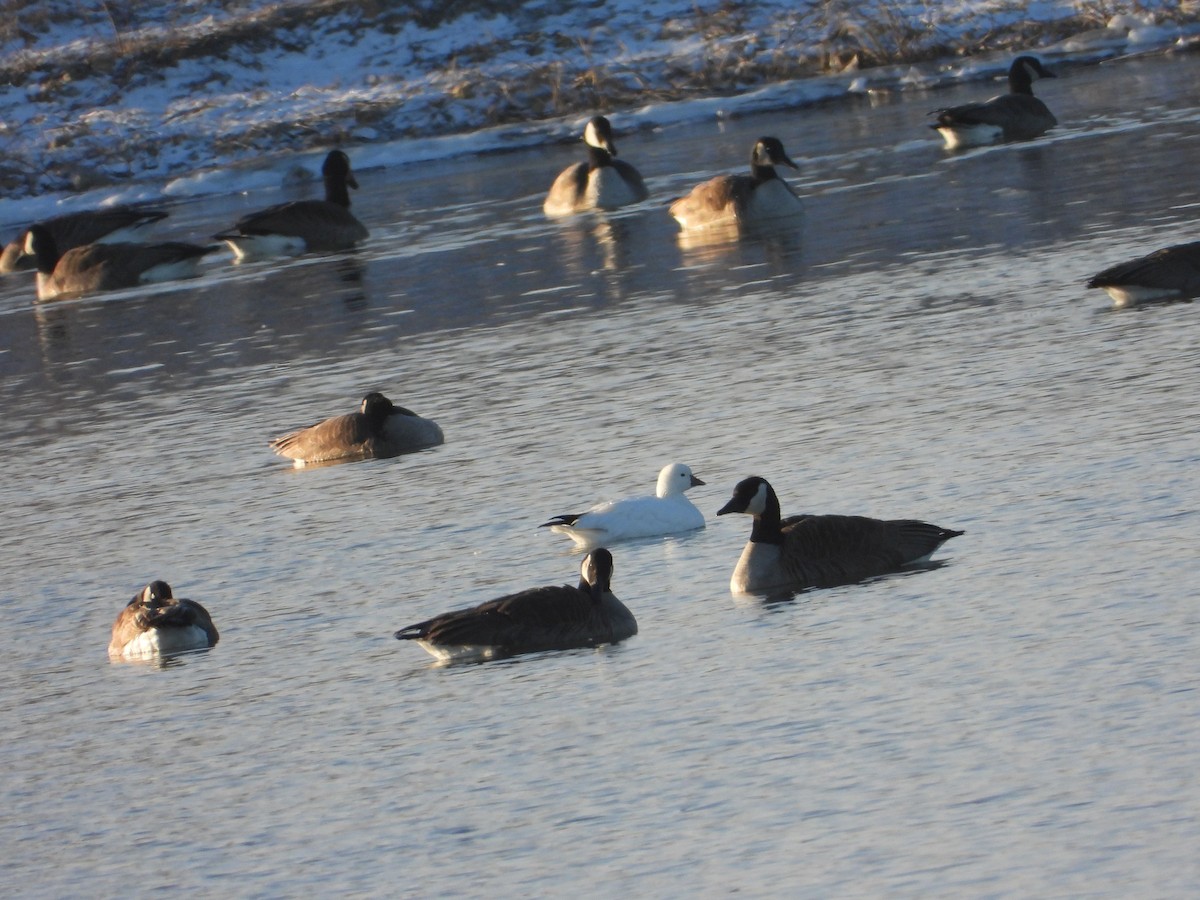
x: 155, y: 623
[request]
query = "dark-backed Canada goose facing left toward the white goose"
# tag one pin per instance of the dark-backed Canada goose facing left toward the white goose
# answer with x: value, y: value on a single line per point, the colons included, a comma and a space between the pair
x: 806, y: 551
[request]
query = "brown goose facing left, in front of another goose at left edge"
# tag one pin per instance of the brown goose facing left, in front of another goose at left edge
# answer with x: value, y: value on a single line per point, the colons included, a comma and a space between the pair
x: 109, y: 267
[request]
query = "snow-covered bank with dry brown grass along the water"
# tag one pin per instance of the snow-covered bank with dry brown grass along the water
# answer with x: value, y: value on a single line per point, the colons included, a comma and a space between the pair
x: 226, y: 95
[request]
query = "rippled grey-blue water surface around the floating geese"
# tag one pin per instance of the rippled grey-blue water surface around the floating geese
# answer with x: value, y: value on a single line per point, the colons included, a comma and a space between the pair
x: 1021, y: 722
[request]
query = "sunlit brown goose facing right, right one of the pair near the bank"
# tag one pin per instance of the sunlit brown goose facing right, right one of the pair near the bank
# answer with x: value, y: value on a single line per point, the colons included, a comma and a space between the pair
x: 761, y: 197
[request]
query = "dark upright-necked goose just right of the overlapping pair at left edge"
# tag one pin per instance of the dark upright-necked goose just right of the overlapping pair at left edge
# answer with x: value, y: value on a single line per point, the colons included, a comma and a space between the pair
x: 302, y: 226
